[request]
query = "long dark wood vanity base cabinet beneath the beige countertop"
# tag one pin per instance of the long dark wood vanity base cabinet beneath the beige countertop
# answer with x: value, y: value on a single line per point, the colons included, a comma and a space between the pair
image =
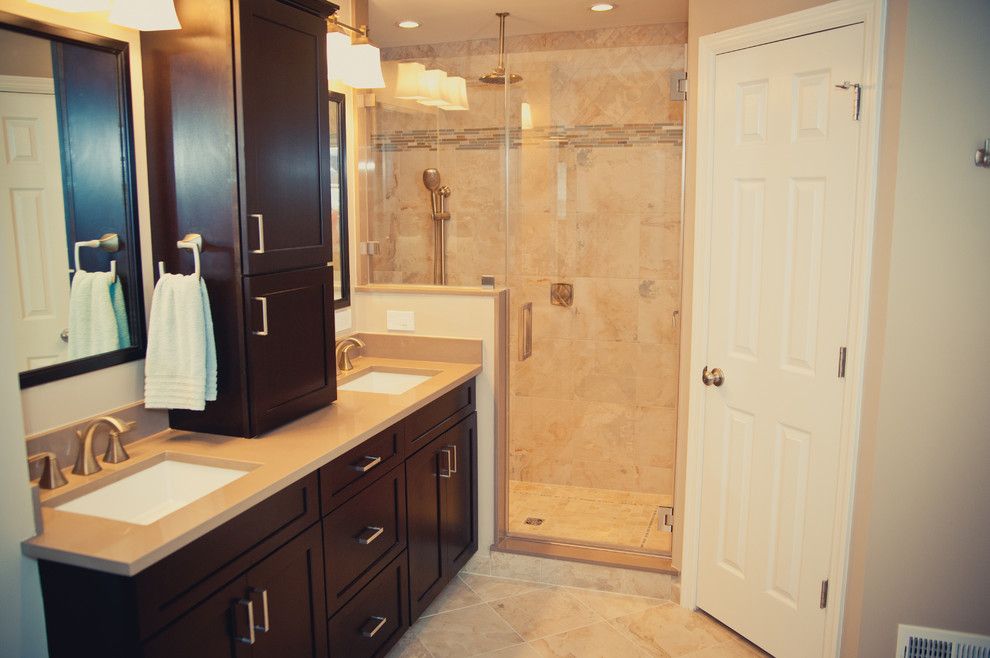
x: 338, y: 563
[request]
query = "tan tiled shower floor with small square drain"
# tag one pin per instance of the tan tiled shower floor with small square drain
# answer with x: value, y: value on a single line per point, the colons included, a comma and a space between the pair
x: 601, y: 517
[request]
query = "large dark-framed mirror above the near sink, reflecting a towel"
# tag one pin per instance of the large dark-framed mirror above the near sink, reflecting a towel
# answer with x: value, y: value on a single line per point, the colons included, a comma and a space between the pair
x: 69, y: 248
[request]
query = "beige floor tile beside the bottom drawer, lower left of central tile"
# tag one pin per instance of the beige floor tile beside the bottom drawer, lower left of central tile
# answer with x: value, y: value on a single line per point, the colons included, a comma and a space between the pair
x: 465, y: 632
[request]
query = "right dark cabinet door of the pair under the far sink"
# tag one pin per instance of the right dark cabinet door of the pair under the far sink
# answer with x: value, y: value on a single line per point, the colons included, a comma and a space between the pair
x: 460, y: 495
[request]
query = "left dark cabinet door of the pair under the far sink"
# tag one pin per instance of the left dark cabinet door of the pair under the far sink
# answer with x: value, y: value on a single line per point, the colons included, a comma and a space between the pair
x: 424, y: 518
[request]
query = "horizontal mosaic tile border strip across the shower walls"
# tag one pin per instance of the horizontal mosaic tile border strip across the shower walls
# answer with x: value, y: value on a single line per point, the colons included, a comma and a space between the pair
x: 579, y: 136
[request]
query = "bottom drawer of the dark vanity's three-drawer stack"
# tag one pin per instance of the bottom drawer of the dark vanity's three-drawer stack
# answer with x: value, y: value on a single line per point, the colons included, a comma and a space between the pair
x: 372, y: 622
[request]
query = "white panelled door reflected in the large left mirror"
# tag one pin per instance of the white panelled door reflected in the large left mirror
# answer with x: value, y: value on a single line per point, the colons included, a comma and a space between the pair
x: 32, y: 226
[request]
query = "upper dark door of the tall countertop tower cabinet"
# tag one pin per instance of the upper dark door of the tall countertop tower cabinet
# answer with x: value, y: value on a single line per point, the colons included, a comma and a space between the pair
x: 286, y: 160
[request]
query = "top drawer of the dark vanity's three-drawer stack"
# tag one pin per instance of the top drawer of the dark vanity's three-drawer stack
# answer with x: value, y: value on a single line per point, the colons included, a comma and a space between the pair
x: 360, y: 466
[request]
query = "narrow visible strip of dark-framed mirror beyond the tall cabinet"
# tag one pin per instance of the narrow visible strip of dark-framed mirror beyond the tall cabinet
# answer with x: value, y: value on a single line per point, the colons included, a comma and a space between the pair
x: 338, y: 201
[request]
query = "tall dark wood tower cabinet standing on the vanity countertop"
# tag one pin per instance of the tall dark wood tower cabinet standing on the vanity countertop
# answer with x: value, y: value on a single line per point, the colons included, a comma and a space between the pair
x: 238, y: 151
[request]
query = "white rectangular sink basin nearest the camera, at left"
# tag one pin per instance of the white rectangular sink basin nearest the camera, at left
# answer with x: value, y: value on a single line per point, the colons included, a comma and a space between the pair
x: 147, y: 494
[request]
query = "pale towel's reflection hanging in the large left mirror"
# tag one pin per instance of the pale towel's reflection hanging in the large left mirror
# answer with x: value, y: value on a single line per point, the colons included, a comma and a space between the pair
x: 93, y: 327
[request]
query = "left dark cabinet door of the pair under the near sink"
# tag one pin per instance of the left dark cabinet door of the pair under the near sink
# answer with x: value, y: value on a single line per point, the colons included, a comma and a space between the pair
x: 210, y: 630
